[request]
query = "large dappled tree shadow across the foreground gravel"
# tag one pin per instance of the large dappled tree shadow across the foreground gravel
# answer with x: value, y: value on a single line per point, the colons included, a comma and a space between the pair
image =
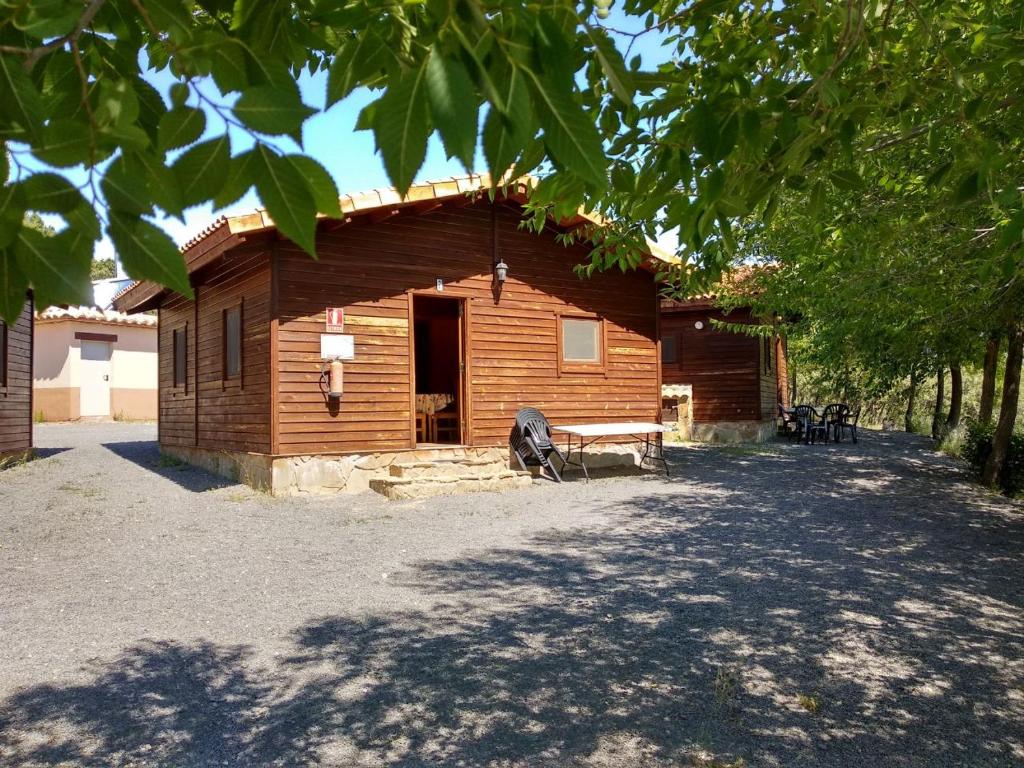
x: 767, y: 613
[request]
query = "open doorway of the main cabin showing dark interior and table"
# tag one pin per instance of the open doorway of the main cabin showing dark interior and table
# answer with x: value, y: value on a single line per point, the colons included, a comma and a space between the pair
x: 440, y: 365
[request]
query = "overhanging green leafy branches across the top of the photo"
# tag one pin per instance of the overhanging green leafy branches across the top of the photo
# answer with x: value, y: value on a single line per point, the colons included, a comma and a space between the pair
x: 757, y: 101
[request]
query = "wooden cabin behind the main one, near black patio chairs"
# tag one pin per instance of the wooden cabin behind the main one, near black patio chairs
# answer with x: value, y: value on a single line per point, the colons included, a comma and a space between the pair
x: 738, y: 381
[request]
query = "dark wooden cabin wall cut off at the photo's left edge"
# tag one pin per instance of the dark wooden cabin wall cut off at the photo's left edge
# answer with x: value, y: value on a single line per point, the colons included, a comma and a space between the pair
x: 16, y: 388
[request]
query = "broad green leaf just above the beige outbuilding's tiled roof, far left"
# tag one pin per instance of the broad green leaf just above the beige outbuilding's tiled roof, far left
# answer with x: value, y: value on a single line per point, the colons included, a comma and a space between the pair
x: 58, y: 272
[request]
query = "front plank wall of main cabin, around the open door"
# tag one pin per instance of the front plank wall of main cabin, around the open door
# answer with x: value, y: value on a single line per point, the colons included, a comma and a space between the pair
x: 370, y: 268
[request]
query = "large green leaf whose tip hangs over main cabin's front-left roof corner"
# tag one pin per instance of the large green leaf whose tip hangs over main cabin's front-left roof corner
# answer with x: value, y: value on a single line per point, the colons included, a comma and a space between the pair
x: 287, y: 197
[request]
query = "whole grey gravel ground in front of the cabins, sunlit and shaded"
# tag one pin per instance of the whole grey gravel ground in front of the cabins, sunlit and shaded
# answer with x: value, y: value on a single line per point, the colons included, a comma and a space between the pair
x: 842, y: 606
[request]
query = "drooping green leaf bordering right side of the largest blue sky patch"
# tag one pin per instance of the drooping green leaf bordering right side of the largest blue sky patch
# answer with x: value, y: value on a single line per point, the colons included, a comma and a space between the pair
x: 402, y: 129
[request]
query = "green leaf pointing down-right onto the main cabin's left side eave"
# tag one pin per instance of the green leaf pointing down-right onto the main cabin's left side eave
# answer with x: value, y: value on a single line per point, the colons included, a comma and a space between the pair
x: 148, y: 253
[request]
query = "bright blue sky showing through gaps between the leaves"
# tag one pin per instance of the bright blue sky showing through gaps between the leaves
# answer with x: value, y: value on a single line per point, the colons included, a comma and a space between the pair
x: 331, y: 138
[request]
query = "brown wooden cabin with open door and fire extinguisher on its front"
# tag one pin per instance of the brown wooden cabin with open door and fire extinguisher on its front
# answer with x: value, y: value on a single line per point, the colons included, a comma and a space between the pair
x: 443, y: 355
